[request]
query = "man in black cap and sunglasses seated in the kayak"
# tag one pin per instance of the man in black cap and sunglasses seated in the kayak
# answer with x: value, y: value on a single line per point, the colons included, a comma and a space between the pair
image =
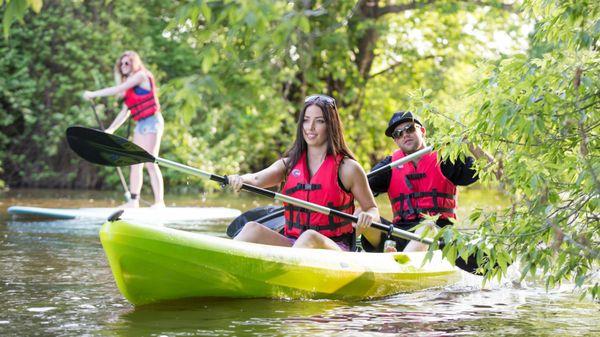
x: 424, y: 186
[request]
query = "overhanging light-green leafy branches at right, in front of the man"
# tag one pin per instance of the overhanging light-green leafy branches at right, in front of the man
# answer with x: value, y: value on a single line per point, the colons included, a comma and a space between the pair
x: 539, y: 112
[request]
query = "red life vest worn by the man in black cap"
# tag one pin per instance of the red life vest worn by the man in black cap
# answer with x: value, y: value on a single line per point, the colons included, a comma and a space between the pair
x: 421, y: 188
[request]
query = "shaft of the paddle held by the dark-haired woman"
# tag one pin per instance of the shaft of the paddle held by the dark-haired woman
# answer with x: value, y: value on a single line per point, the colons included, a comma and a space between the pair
x: 291, y: 200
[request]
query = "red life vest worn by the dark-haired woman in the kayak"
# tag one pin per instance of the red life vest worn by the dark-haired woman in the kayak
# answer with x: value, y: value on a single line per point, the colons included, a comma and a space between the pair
x: 322, y: 189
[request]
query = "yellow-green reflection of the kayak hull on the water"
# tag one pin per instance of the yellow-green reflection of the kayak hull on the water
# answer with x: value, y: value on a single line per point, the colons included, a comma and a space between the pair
x: 219, y: 316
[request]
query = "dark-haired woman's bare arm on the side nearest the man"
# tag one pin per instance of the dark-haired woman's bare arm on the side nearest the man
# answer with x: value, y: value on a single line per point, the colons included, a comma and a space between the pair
x: 355, y: 180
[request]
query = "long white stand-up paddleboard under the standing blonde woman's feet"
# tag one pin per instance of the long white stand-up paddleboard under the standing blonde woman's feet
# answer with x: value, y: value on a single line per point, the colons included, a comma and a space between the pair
x: 163, y: 215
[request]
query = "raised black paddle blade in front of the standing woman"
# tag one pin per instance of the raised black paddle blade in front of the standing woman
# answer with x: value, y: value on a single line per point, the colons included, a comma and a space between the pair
x: 105, y: 149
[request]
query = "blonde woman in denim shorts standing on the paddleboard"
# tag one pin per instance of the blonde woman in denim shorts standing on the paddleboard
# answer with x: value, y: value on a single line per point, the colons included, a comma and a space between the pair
x: 138, y: 88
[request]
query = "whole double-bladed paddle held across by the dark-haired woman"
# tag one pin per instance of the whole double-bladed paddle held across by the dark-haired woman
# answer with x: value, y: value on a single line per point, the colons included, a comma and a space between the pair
x: 106, y: 149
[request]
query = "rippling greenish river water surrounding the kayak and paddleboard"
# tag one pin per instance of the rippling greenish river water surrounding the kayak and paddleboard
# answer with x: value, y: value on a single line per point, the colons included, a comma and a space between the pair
x: 55, y: 281
